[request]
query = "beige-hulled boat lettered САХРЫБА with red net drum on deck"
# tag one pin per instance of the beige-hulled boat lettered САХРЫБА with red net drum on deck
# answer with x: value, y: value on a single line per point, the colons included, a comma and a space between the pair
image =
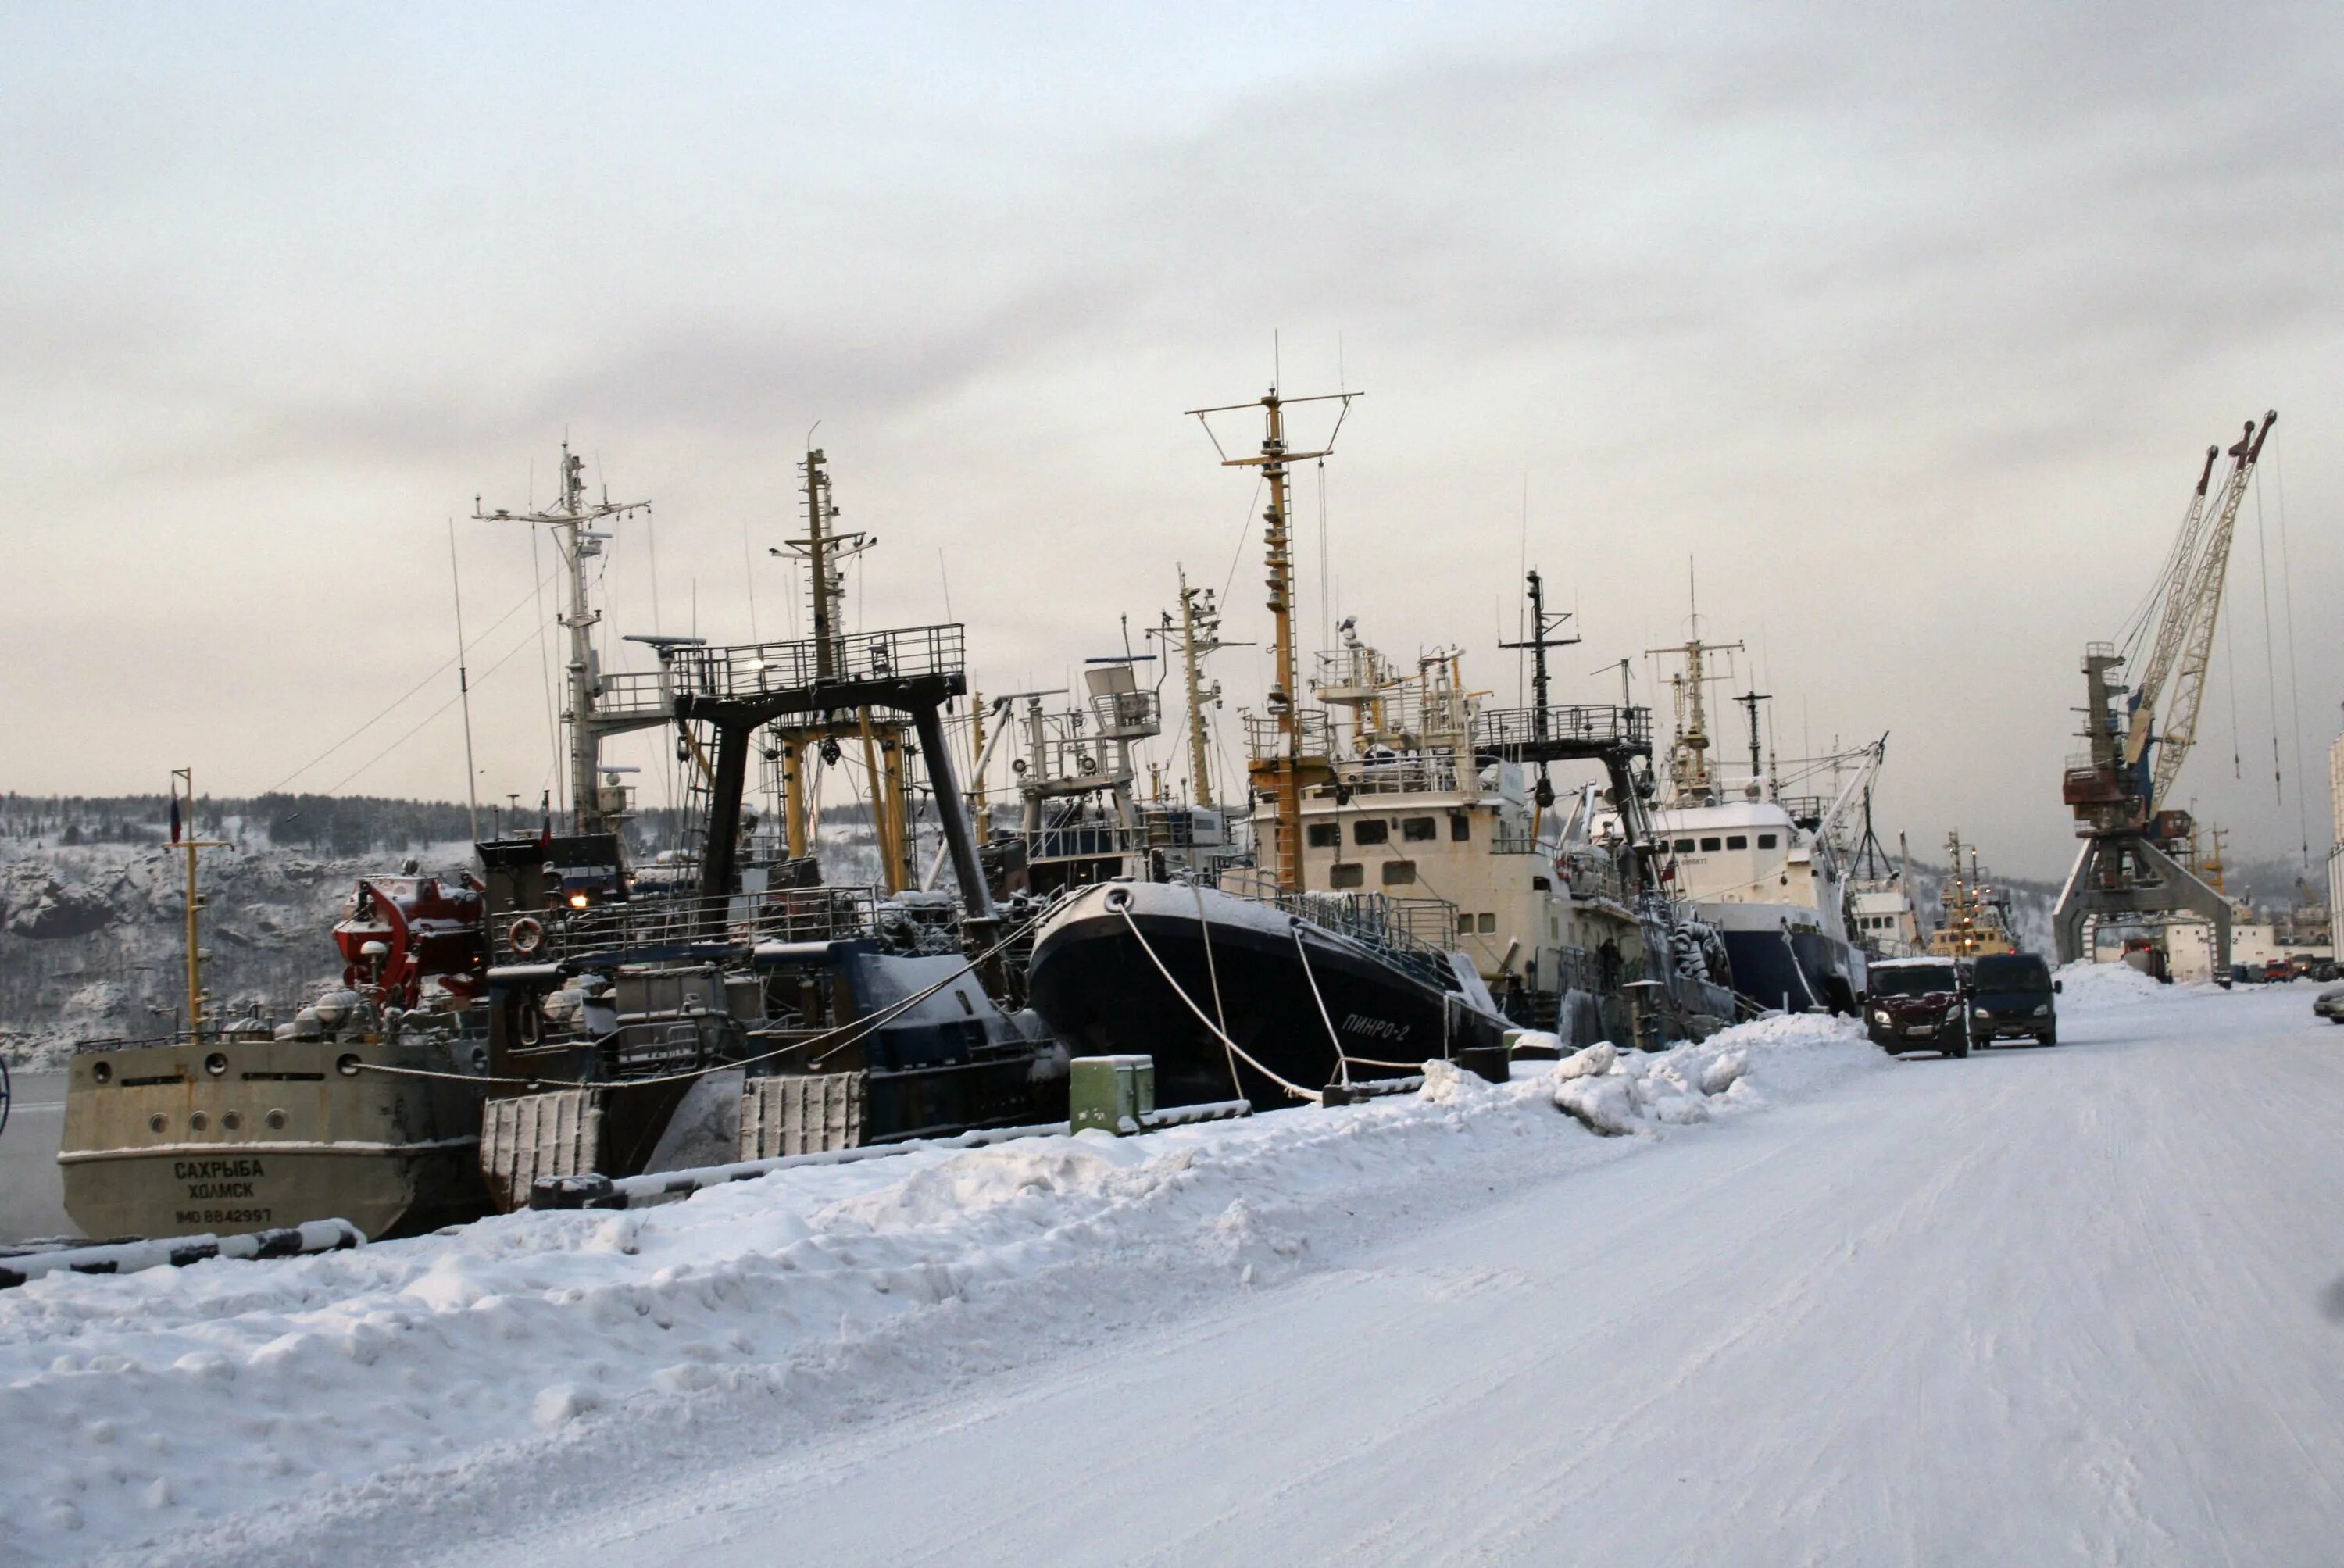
x: 355, y: 1110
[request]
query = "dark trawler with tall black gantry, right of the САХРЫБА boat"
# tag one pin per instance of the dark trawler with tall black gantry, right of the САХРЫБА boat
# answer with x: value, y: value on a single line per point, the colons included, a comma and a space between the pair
x: 737, y: 990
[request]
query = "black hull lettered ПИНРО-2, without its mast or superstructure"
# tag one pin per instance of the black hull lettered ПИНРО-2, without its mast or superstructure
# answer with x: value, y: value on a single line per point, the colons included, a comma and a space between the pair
x: 1101, y: 993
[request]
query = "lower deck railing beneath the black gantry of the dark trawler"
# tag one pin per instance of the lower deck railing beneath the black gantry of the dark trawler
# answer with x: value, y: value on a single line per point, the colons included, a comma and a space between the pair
x: 641, y: 925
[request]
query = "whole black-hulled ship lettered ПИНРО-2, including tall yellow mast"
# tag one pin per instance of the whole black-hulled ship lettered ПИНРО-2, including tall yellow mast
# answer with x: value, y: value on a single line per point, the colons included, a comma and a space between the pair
x: 1258, y: 981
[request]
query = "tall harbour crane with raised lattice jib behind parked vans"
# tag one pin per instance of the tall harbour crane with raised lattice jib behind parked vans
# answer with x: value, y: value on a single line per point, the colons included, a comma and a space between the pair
x: 2139, y: 737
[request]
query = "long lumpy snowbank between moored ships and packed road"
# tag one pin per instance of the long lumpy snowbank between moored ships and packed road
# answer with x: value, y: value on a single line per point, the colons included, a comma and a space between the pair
x: 200, y: 1410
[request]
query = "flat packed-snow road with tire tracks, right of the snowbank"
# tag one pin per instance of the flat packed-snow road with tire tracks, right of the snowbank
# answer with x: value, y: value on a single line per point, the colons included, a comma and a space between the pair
x: 2040, y: 1307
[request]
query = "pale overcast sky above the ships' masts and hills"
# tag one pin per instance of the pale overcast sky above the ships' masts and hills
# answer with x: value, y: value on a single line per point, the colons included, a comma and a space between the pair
x: 1907, y: 329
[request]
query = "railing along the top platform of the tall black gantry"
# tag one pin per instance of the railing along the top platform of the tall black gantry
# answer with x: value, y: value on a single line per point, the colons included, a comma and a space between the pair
x: 754, y: 669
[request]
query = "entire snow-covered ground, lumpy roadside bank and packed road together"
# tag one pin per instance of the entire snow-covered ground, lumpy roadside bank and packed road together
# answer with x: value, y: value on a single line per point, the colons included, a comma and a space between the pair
x: 2036, y: 1307
